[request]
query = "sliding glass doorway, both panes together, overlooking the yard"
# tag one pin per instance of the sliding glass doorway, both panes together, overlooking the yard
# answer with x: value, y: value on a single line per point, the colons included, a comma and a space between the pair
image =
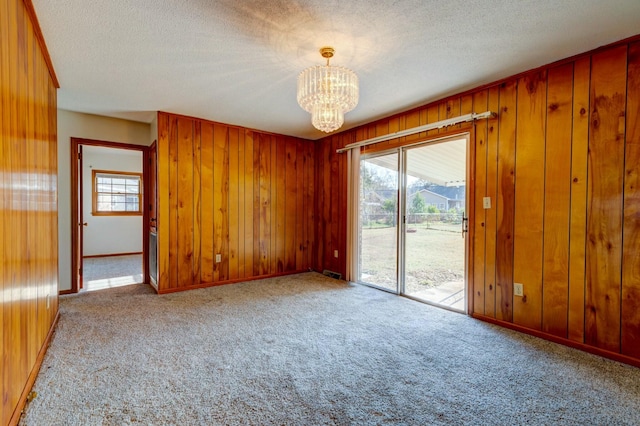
x: 413, y: 235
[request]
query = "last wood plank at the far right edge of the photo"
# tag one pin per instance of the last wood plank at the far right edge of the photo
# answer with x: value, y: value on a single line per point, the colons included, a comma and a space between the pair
x: 630, y: 315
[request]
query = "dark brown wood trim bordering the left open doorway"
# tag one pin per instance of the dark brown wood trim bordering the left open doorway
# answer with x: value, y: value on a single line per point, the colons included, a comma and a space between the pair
x: 75, y: 142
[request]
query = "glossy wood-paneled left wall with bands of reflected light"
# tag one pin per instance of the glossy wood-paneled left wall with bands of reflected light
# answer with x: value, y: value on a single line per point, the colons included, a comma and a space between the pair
x: 28, y: 213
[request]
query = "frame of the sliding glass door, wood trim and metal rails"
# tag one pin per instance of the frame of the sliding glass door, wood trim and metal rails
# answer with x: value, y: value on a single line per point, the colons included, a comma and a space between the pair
x: 469, y: 134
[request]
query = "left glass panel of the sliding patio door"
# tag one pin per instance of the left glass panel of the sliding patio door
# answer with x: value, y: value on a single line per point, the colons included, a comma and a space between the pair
x: 378, y: 231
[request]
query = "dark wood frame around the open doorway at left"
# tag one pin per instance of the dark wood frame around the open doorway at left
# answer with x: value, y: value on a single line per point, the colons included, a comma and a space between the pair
x: 76, y: 207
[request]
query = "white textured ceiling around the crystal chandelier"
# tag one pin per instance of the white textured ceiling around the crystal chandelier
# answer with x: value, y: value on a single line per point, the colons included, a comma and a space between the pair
x: 236, y: 61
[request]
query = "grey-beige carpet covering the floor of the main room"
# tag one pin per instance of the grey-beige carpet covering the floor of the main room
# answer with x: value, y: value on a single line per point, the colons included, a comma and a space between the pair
x: 306, y: 349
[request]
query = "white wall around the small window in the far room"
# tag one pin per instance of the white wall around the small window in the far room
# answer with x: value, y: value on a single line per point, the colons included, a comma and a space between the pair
x: 109, y: 234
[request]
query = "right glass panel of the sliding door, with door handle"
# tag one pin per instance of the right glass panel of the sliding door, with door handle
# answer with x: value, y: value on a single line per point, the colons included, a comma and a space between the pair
x: 434, y: 251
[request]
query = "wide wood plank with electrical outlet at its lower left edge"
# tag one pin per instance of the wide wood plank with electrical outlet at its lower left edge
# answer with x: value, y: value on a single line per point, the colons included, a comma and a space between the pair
x: 529, y: 199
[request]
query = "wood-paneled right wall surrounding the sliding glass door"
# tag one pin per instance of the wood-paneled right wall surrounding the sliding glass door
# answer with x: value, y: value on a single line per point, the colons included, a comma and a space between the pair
x: 561, y: 163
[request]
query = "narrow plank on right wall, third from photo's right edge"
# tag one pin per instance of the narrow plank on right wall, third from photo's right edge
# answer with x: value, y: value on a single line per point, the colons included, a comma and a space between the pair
x: 578, y: 220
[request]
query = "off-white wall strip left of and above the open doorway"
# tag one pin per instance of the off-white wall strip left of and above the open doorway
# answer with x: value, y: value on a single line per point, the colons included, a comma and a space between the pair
x: 73, y: 124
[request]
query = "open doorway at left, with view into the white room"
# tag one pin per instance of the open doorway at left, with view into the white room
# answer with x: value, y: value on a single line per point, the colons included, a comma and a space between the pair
x: 109, y: 214
